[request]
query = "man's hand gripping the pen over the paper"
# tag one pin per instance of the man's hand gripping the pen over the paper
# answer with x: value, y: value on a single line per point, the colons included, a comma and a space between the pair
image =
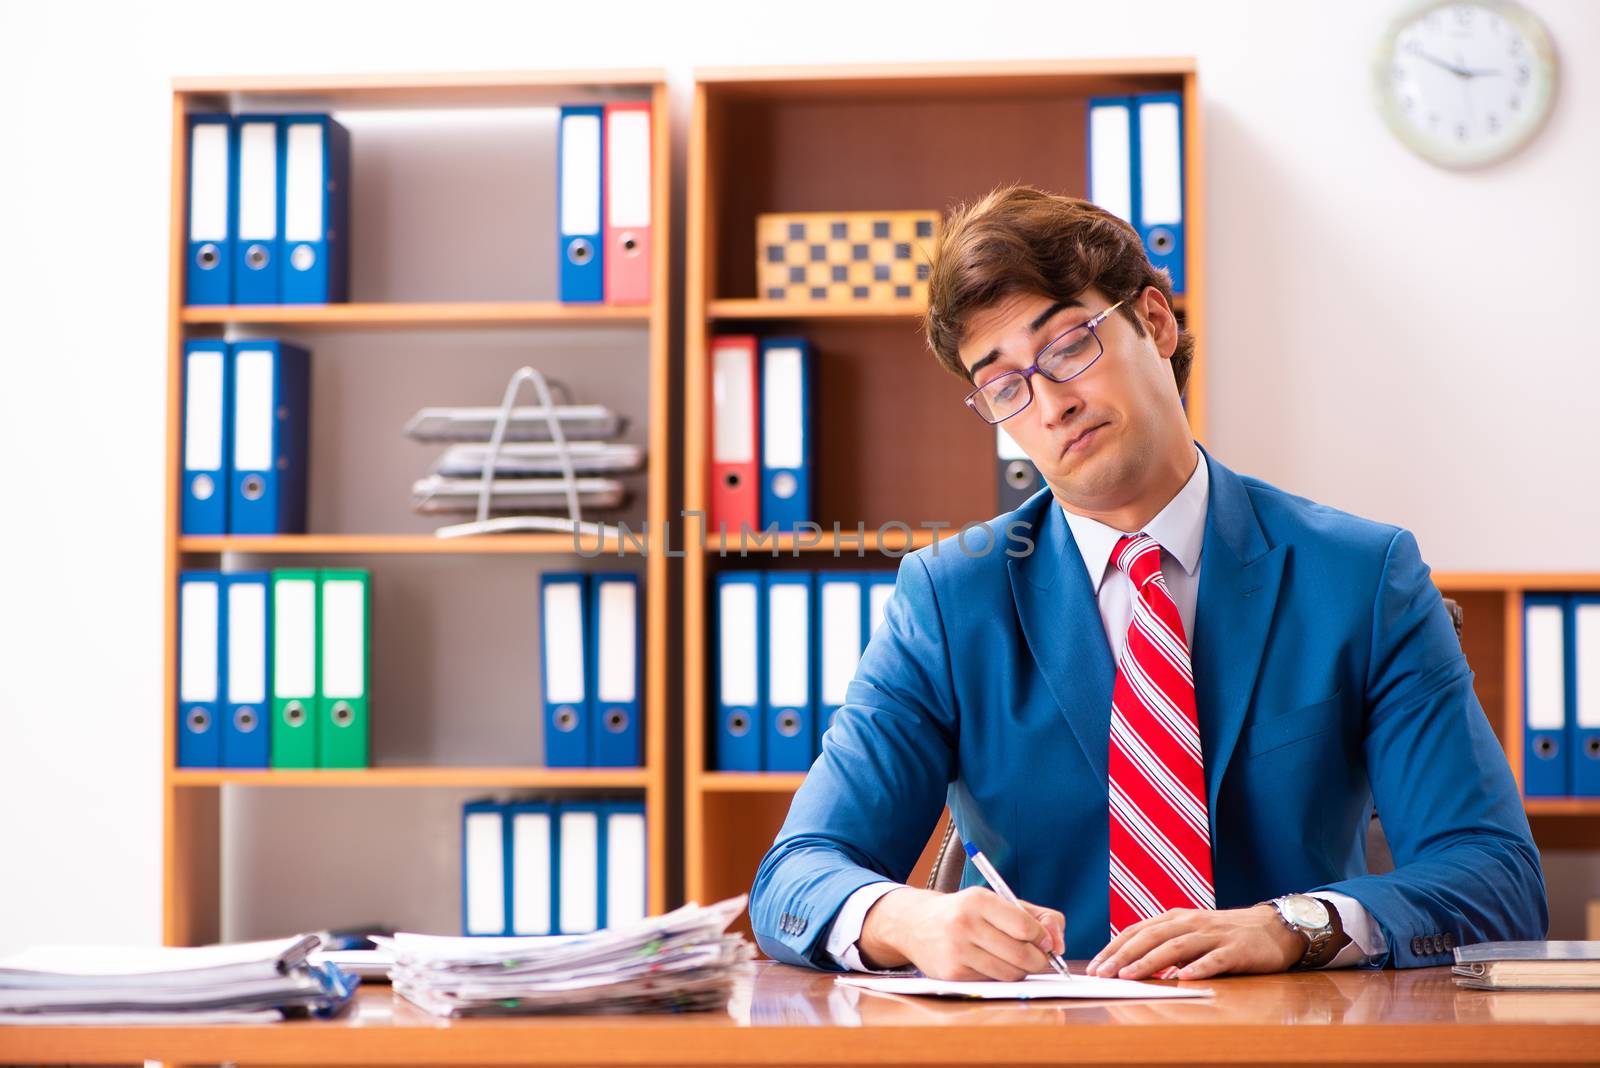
x: 970, y: 934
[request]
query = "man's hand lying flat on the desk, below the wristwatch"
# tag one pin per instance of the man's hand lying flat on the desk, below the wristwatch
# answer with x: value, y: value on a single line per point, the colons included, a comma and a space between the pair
x: 1202, y: 942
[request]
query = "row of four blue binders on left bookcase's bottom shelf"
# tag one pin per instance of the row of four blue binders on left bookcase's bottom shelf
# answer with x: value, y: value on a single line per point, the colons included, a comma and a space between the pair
x: 546, y: 867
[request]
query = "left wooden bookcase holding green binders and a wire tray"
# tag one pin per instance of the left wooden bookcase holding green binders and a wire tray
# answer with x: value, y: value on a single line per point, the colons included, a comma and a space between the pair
x: 441, y: 588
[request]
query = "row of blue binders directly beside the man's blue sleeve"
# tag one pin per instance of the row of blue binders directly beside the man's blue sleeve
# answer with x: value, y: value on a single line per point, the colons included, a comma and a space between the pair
x: 788, y: 645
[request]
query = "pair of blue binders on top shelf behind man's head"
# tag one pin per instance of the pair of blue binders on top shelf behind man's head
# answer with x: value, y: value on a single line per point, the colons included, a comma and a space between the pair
x: 1137, y: 172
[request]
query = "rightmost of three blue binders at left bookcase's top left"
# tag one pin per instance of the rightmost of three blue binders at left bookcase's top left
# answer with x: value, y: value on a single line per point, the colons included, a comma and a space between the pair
x: 316, y: 210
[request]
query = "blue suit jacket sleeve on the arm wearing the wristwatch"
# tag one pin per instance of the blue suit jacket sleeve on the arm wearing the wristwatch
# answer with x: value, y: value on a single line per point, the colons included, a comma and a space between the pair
x: 1466, y: 867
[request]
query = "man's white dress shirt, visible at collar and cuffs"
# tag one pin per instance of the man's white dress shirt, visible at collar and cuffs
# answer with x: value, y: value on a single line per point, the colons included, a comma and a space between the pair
x: 1180, y: 532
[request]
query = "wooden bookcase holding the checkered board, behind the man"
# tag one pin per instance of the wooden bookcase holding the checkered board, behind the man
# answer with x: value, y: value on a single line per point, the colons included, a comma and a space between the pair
x: 865, y: 140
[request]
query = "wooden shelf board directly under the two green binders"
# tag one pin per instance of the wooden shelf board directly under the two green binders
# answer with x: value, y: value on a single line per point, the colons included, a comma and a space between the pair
x: 390, y: 778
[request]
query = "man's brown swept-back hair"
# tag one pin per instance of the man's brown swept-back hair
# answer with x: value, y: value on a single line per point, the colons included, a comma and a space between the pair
x: 1025, y: 241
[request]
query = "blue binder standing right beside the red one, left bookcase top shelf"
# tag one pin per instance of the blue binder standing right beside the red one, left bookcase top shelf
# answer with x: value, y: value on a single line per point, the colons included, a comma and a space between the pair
x: 582, y: 204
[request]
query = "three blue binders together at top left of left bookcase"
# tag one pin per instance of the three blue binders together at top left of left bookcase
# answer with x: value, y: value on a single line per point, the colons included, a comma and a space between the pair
x: 270, y: 210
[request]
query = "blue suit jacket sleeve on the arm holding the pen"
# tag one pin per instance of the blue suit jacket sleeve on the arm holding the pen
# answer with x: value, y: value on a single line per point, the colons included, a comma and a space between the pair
x: 871, y: 802
